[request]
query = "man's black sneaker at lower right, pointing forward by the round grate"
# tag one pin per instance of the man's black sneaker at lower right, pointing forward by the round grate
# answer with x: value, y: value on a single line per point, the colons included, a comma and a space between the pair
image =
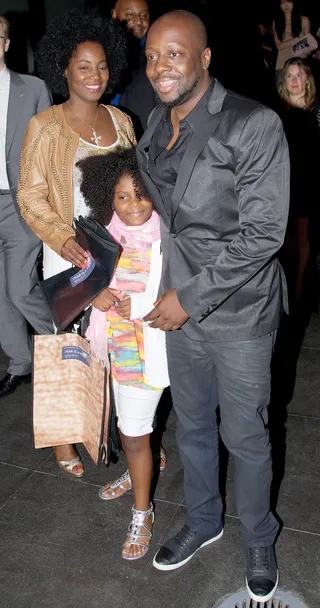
x: 262, y: 573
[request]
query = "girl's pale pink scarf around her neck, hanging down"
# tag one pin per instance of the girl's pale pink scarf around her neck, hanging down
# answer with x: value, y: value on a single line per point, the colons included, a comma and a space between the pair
x: 138, y: 237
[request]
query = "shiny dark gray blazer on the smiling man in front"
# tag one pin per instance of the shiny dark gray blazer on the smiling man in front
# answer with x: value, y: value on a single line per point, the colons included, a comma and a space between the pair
x: 228, y: 219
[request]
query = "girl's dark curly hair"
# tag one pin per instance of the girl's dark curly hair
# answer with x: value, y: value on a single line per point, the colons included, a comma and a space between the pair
x: 100, y: 176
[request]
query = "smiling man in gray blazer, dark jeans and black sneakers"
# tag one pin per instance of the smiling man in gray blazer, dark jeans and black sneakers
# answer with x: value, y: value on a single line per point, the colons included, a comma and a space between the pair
x: 216, y: 166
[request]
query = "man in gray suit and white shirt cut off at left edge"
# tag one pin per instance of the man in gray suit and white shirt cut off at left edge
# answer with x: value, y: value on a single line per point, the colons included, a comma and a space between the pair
x: 20, y: 98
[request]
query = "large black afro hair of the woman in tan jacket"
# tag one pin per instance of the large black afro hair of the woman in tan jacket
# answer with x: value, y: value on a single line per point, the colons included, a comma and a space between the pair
x: 61, y: 39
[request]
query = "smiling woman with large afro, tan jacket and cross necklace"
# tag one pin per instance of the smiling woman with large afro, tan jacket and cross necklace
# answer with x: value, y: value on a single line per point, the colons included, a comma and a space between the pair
x: 80, y: 57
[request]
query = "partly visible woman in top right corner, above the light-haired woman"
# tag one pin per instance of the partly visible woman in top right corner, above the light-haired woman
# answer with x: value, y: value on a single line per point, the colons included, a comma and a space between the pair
x: 288, y: 27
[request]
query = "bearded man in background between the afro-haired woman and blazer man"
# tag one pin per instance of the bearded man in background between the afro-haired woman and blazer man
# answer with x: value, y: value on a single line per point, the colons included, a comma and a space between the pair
x: 138, y: 97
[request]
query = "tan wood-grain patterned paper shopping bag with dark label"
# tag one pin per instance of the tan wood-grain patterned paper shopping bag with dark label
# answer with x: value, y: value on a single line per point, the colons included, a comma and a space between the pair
x: 71, y: 400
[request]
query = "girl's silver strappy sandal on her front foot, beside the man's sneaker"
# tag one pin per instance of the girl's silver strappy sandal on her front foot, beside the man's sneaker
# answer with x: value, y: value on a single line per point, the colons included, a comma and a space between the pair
x: 137, y: 531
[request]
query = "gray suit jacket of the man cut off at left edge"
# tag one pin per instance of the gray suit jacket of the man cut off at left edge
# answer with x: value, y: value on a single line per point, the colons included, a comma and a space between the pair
x: 28, y: 95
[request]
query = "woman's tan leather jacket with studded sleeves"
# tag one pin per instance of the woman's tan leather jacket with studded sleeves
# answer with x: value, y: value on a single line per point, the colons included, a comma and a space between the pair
x: 45, y: 194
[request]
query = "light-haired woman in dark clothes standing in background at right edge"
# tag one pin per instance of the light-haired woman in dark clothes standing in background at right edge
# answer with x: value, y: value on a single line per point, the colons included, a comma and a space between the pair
x: 297, y: 92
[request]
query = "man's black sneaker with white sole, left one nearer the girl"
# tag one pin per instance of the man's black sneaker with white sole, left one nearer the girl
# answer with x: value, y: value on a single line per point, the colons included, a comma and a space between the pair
x: 181, y: 548
